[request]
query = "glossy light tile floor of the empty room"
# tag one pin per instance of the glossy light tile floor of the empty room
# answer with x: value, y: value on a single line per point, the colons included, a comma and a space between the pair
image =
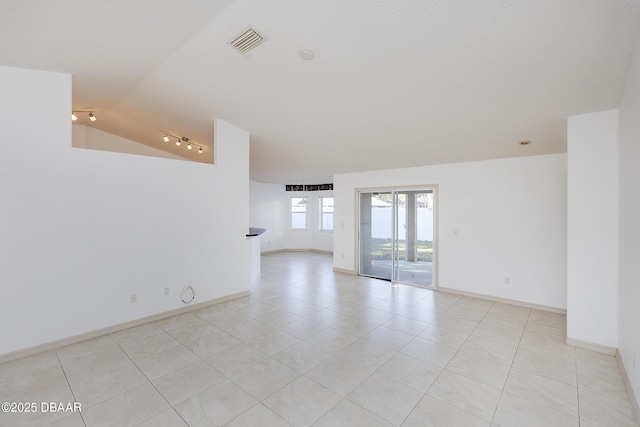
x: 312, y: 347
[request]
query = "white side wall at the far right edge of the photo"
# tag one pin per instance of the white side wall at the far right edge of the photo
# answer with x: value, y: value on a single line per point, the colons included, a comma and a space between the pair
x: 629, y: 312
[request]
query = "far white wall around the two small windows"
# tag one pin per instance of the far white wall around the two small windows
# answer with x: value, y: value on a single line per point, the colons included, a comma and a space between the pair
x: 271, y: 209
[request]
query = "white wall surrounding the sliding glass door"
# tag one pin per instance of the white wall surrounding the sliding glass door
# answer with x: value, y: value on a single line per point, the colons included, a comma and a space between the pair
x: 496, y: 219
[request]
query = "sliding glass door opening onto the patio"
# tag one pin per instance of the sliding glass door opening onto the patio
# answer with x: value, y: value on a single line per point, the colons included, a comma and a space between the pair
x: 397, y: 235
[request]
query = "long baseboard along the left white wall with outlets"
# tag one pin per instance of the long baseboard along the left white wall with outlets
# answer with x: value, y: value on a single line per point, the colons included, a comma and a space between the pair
x: 7, y: 357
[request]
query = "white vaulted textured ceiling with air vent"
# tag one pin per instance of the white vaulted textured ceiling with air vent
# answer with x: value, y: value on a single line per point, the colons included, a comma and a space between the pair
x: 393, y: 83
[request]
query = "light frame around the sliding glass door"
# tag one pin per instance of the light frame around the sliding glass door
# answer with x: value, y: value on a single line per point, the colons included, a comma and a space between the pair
x: 436, y: 207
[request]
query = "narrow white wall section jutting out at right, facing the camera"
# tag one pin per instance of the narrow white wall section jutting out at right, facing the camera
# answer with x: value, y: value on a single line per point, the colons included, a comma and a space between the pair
x: 592, y: 232
